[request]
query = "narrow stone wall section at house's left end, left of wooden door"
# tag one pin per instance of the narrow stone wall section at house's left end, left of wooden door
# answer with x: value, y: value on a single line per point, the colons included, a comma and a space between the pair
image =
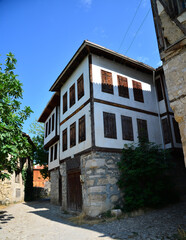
x: 54, y: 192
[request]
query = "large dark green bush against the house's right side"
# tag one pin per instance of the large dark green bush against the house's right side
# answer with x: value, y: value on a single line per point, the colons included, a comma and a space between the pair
x: 144, y: 177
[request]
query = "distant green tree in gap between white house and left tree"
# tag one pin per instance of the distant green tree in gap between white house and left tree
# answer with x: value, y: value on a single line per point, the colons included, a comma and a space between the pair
x: 40, y: 154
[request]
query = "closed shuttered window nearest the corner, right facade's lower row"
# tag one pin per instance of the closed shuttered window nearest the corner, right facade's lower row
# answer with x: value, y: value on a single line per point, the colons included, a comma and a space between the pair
x: 109, y: 120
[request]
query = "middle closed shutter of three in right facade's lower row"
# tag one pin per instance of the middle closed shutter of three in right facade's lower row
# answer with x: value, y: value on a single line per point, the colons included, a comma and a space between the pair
x: 127, y: 129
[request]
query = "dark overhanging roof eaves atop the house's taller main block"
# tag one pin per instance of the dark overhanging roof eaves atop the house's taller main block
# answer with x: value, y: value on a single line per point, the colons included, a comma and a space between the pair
x: 89, y: 47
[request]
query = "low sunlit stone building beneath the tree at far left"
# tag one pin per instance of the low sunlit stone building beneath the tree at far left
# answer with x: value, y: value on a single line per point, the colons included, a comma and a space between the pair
x: 12, y: 190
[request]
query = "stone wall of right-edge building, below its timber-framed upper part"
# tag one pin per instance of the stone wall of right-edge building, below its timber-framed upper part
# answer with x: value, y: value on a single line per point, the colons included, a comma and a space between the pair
x: 175, y: 72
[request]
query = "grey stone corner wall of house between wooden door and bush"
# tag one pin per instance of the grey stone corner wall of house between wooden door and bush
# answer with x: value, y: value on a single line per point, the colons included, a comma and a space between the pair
x: 100, y: 173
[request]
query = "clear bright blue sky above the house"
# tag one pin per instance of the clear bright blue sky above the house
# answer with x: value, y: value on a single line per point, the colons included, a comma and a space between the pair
x: 44, y: 34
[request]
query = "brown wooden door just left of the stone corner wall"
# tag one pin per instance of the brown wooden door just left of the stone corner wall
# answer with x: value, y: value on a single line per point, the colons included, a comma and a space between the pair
x: 74, y: 191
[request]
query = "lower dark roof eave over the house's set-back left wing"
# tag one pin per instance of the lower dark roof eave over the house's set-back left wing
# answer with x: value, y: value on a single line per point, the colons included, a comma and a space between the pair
x: 54, y: 101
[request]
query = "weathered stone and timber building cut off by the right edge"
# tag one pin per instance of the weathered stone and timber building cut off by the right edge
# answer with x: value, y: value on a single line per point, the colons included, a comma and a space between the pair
x: 170, y: 24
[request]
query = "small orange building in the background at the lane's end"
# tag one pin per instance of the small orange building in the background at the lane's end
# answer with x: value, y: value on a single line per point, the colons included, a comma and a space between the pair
x: 38, y: 180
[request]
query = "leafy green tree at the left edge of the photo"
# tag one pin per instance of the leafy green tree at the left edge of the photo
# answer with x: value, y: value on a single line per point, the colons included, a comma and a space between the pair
x: 13, y: 144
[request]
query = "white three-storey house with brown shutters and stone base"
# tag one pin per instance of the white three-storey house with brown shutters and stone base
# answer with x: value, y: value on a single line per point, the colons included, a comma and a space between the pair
x: 102, y: 101
